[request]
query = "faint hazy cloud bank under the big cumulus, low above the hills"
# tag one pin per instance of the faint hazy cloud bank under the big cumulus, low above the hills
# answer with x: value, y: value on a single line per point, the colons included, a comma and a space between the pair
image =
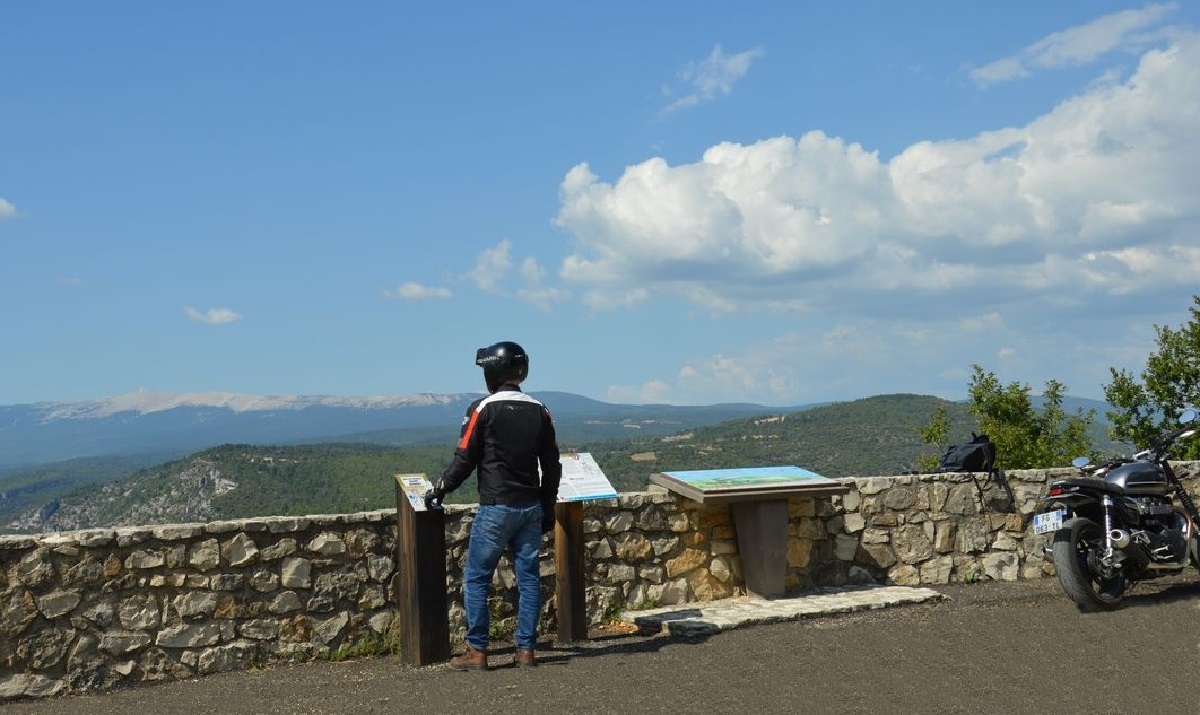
x: 874, y: 357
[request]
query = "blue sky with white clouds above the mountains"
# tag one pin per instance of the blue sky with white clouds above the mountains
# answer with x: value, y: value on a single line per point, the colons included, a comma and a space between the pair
x: 687, y: 203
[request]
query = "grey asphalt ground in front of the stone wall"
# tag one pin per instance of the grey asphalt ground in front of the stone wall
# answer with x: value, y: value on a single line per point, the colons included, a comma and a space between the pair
x: 1010, y: 648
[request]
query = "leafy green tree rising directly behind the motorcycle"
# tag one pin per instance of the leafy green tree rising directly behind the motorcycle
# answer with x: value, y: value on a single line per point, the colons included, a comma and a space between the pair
x: 1171, y: 384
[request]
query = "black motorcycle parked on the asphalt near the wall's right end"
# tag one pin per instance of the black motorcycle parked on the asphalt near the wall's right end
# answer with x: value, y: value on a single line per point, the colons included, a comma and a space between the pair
x: 1125, y: 521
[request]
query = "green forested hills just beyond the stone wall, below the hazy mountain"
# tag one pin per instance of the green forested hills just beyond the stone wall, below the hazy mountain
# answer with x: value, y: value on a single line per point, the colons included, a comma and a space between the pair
x: 874, y: 436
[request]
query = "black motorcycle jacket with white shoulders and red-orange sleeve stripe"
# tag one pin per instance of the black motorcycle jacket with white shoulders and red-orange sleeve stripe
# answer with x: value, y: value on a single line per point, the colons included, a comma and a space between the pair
x: 507, y: 437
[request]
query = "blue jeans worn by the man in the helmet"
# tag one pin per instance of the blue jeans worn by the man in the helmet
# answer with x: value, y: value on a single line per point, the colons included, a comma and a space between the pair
x: 496, y: 527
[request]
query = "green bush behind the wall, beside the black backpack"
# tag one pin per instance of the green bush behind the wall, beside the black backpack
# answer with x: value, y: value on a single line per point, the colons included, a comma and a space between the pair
x: 1027, y: 438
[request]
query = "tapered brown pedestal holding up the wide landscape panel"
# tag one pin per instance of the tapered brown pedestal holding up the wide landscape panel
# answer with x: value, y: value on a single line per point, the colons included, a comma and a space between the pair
x: 763, y: 544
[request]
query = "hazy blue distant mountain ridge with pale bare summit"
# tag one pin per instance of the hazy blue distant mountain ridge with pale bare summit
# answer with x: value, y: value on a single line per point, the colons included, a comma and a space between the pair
x: 178, y: 424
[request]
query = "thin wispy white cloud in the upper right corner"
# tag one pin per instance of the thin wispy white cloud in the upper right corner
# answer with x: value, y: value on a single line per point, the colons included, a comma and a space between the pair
x: 1081, y: 45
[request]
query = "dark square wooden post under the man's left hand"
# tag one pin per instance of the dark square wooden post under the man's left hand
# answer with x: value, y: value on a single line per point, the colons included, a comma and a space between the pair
x: 422, y: 584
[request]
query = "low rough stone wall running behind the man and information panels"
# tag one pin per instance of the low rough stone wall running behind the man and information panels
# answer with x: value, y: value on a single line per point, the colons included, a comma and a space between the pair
x: 91, y: 611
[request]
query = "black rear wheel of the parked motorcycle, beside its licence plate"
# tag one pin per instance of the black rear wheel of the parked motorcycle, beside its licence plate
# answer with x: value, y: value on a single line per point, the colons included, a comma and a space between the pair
x: 1077, y: 549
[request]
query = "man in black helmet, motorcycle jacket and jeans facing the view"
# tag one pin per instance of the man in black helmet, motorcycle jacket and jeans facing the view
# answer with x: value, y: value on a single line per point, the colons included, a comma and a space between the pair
x: 506, y: 438
